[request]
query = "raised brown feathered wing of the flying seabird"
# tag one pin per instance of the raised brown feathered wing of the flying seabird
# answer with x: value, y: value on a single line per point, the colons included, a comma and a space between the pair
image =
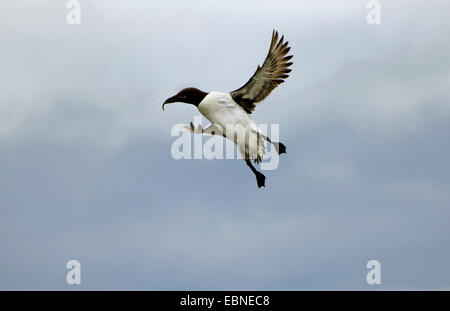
x: 267, y: 77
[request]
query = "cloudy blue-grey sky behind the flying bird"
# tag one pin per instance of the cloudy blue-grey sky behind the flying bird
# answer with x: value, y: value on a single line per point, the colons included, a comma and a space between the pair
x: 86, y: 171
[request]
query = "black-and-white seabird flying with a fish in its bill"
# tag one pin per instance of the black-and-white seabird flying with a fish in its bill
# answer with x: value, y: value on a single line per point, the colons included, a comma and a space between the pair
x: 229, y: 113
